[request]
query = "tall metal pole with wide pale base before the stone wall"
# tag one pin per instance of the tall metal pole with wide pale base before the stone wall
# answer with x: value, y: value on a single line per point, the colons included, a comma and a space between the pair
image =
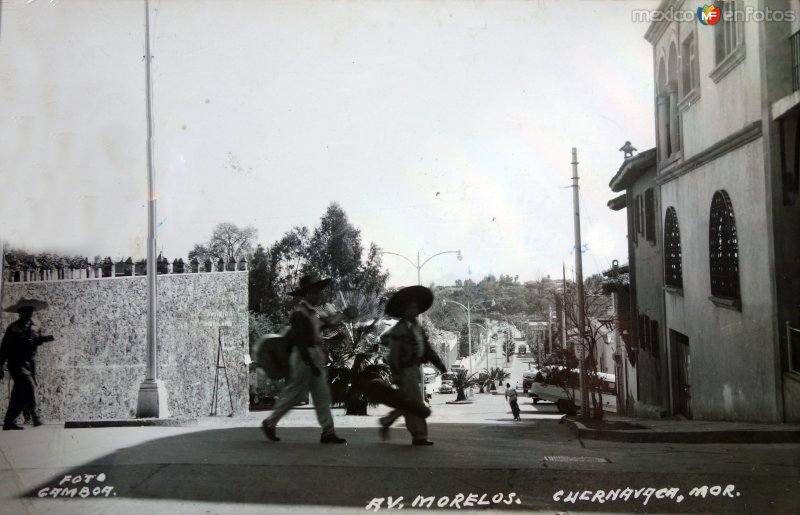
x: 152, y: 400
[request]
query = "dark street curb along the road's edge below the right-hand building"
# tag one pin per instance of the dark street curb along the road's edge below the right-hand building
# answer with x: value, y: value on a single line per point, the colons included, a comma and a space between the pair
x: 701, y: 437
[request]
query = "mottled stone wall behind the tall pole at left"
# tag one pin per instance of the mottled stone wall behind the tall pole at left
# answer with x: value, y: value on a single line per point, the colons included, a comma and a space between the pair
x: 95, y: 366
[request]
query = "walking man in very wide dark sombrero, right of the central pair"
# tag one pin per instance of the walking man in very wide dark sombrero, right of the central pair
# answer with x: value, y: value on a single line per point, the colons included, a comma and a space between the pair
x: 408, y: 349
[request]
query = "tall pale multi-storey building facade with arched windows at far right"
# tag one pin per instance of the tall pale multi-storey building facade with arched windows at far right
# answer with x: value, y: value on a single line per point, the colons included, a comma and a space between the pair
x: 726, y: 183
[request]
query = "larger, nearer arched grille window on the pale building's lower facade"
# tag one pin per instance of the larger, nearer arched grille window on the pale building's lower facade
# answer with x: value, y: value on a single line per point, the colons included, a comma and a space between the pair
x: 723, y: 248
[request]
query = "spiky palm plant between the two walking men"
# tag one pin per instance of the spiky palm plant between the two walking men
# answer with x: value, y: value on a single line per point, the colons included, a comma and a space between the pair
x: 354, y: 355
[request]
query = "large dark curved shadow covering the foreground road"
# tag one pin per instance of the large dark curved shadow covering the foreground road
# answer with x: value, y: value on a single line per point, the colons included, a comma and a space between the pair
x: 237, y: 465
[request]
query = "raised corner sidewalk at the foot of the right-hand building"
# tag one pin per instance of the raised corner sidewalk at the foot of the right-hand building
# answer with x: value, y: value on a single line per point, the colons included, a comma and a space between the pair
x: 674, y: 430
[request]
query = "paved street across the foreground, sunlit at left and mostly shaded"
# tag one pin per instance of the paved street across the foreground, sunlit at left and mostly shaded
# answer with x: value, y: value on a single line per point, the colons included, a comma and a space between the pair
x: 225, y: 465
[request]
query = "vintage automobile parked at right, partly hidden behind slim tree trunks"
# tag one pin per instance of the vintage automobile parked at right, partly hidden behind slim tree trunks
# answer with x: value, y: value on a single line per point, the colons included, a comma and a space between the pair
x: 567, y: 395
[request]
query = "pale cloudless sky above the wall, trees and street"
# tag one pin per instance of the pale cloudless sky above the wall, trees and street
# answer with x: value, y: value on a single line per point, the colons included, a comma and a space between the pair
x: 437, y: 126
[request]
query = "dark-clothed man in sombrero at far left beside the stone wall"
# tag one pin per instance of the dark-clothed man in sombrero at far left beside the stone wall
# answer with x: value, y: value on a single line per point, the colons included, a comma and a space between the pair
x: 18, y: 349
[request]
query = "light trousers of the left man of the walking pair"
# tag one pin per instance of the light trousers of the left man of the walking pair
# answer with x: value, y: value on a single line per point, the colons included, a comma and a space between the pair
x: 301, y: 382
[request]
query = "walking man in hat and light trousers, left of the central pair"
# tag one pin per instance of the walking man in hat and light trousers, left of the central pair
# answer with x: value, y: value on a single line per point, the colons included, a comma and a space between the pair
x: 306, y: 362
